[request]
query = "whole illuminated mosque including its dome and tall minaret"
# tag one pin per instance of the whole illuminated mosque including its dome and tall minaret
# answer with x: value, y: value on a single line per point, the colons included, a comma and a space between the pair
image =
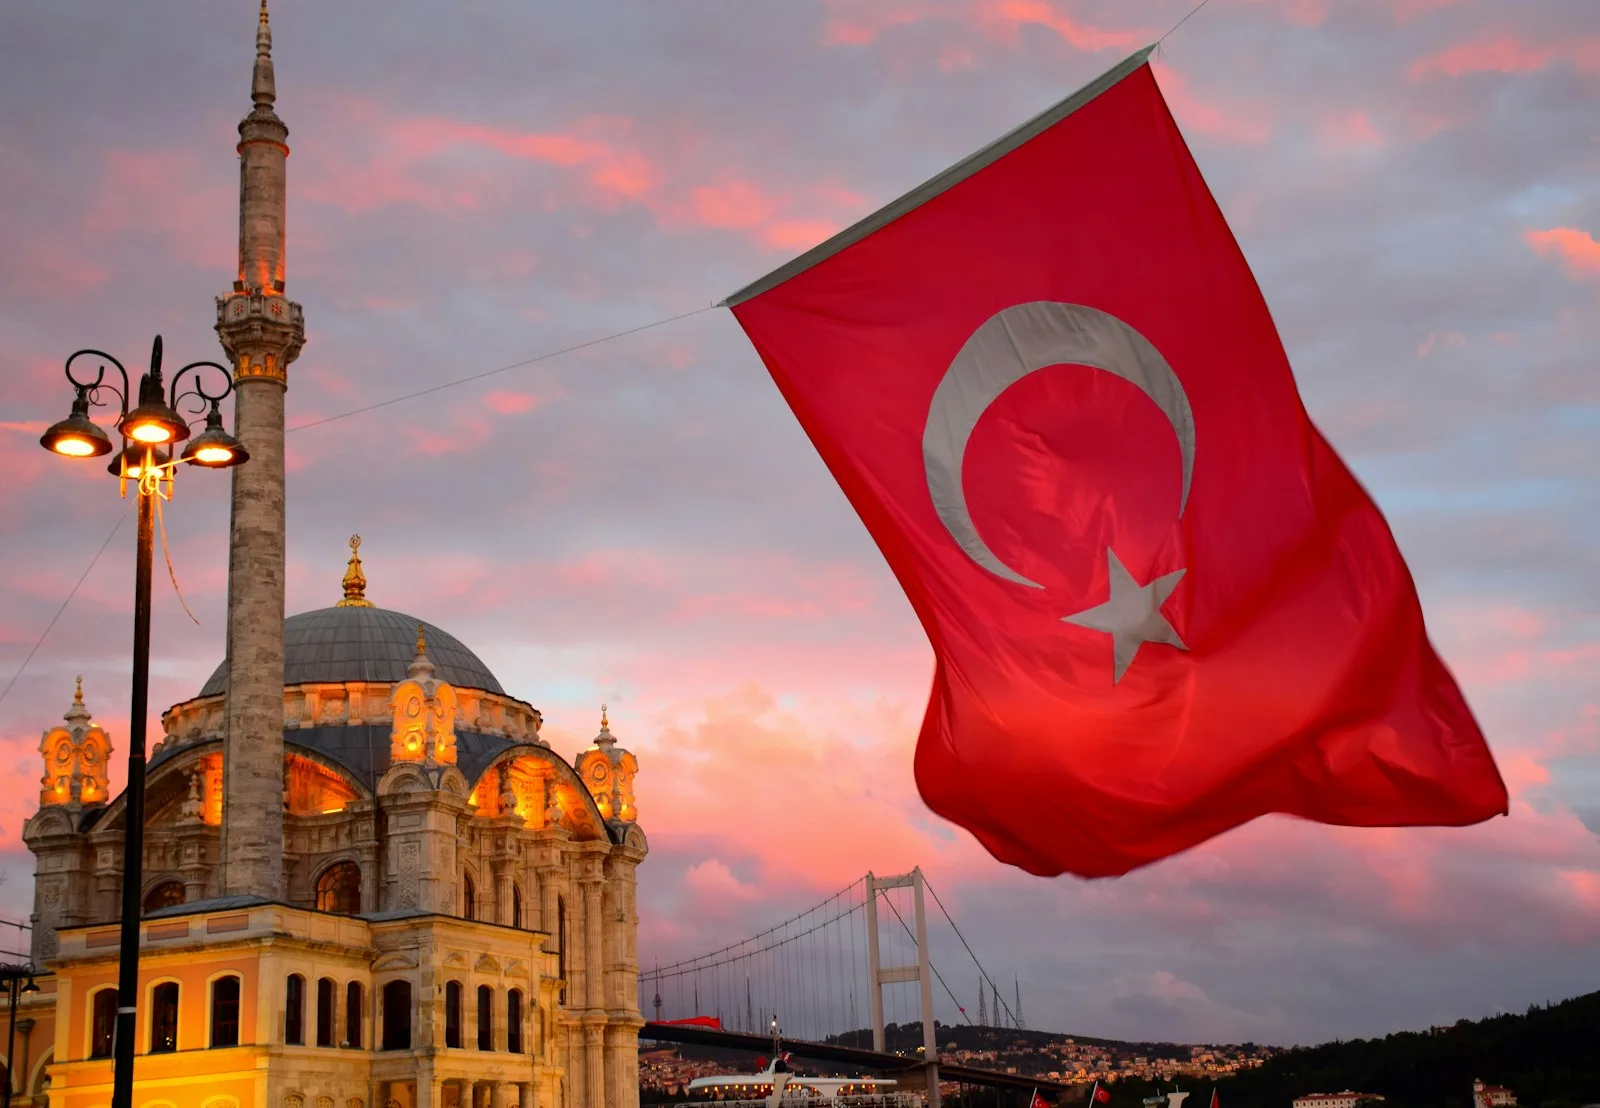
x: 367, y: 881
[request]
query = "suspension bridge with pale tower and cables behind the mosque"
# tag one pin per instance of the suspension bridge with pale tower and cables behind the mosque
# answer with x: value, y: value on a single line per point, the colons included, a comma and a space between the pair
x: 850, y: 982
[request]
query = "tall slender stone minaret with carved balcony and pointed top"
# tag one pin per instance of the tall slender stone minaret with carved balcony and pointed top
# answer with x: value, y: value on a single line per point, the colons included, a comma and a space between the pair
x: 262, y: 332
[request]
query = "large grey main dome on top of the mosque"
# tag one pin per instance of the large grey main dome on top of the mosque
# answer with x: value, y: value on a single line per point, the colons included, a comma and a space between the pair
x: 367, y: 644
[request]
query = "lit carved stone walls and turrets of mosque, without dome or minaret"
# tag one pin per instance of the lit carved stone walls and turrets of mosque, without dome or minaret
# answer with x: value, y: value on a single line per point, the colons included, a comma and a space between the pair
x: 468, y: 873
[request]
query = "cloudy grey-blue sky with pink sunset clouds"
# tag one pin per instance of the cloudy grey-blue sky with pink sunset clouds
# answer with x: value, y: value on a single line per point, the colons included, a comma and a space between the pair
x: 642, y: 523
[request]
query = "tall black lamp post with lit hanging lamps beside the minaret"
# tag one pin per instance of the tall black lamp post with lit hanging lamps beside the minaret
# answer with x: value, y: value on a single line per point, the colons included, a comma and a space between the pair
x: 151, y: 432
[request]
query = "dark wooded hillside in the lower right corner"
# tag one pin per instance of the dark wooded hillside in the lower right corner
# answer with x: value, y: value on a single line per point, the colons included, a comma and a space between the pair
x: 1550, y: 1058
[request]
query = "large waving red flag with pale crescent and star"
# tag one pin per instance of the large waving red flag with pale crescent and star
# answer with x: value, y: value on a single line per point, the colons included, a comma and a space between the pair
x: 1159, y: 603
